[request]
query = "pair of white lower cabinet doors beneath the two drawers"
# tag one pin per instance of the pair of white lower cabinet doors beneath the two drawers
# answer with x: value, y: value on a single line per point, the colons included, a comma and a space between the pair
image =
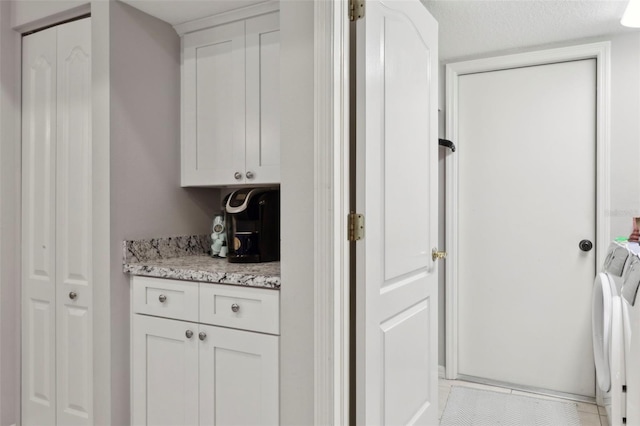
x: 188, y: 373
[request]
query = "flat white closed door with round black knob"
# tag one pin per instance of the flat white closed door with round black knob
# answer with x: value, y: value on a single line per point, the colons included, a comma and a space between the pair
x: 526, y: 198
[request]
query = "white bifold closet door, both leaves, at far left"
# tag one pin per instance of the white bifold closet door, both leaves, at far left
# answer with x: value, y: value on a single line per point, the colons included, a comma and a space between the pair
x: 57, y: 180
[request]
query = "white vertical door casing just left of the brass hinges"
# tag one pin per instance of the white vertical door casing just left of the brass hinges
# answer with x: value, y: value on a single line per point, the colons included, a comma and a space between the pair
x: 331, y: 260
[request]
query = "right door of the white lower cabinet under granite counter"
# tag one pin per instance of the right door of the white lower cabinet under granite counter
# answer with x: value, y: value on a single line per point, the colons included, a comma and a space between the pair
x: 238, y: 378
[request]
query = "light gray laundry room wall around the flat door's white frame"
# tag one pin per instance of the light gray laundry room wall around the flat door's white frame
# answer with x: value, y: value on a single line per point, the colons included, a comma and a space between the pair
x: 625, y: 136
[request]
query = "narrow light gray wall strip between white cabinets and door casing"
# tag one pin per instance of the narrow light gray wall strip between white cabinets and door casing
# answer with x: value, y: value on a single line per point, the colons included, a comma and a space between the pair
x: 297, y: 151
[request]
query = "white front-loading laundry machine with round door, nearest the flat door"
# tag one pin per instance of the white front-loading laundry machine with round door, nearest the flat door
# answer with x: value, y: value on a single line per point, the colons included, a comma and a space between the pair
x: 608, y: 334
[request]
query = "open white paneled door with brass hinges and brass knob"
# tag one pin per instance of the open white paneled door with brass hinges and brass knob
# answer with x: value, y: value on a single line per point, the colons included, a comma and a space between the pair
x: 396, y: 186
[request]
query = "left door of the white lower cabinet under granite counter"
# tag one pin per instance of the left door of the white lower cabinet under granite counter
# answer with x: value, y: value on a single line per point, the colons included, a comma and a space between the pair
x: 164, y: 372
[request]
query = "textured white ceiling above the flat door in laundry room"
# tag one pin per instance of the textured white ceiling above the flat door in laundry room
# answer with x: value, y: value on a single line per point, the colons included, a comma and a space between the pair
x: 474, y: 27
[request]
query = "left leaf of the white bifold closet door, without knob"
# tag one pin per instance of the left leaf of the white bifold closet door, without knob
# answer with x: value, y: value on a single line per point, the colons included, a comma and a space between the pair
x: 38, y: 228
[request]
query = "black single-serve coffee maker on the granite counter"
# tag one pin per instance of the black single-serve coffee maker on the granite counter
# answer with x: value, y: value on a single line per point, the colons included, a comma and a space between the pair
x: 253, y: 225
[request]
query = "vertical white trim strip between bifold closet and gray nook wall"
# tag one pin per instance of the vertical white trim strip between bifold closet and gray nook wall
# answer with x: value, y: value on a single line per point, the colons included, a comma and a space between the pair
x: 101, y: 14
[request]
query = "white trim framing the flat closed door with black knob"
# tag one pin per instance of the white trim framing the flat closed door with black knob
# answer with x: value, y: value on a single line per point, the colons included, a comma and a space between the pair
x: 602, y: 53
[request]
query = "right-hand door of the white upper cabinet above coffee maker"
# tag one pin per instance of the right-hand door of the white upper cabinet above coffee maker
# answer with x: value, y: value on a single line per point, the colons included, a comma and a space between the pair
x: 263, y: 99
